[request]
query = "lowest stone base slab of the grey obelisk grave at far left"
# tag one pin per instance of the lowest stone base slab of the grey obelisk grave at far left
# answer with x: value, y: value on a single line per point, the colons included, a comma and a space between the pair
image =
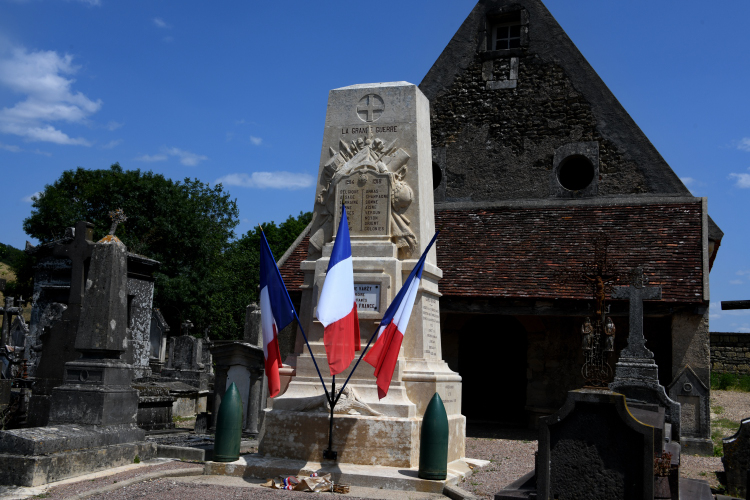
x: 36, y: 470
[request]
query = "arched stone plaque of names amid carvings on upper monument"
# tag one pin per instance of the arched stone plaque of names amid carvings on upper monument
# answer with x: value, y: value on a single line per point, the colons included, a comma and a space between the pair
x: 367, y: 196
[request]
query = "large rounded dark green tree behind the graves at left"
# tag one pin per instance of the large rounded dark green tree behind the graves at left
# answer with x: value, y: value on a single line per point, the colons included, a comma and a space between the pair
x: 187, y: 226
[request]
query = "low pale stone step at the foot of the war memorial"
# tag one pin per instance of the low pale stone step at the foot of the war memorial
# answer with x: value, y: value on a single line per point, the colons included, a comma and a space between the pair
x: 371, y: 476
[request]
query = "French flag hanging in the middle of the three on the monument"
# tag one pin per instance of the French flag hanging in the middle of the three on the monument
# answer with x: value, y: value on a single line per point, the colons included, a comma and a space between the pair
x: 337, y: 308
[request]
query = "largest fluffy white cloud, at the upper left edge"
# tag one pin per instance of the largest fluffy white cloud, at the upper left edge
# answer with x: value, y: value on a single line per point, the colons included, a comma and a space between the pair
x: 42, y: 78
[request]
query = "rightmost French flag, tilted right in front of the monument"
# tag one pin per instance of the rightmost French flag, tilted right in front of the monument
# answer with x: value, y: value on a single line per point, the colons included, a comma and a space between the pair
x: 384, y: 352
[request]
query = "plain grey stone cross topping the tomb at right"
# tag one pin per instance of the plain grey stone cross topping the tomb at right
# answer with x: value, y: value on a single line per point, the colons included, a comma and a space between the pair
x: 636, y: 293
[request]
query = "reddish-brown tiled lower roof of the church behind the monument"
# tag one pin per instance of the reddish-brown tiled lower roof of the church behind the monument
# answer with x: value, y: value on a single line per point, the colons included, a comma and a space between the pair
x: 541, y: 252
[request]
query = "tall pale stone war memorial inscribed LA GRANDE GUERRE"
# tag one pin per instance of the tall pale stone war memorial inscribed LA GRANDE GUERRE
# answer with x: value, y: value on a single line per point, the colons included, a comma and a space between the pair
x: 376, y: 158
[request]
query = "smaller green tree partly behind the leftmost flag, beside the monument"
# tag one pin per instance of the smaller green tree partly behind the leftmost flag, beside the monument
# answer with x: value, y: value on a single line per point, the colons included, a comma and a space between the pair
x: 238, y: 276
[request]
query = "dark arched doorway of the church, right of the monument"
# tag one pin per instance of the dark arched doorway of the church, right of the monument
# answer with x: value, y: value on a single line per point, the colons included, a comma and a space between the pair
x: 492, y: 363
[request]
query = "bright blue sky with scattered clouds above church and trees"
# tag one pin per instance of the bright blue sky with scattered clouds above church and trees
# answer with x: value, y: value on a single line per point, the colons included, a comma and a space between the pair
x: 237, y: 91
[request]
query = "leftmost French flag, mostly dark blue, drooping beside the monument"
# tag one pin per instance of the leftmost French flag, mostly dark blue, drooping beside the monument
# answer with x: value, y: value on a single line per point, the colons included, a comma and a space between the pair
x: 276, y: 312
